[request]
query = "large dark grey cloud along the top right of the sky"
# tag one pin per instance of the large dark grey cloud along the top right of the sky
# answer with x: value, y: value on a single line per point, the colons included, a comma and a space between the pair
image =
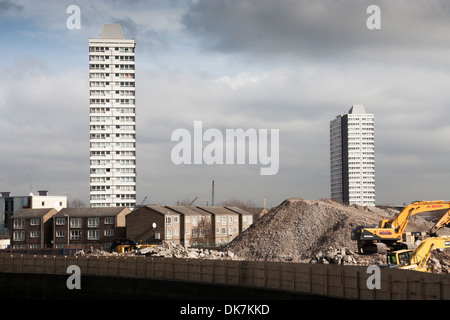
x: 316, y: 28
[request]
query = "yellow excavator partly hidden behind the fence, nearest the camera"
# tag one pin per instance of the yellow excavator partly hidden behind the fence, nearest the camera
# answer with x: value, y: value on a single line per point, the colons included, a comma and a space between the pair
x: 417, y: 259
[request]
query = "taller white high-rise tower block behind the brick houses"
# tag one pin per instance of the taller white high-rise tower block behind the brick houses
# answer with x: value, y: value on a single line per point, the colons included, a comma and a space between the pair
x: 112, y: 119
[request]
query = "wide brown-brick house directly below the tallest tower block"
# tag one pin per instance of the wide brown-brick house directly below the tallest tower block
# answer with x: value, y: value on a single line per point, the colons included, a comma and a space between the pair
x: 89, y: 226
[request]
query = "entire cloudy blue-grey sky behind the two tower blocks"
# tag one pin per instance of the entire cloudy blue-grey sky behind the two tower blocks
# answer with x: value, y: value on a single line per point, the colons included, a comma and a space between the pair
x: 289, y: 65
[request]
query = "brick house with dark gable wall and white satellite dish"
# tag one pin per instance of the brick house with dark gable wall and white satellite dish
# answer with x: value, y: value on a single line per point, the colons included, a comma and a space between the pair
x: 152, y: 224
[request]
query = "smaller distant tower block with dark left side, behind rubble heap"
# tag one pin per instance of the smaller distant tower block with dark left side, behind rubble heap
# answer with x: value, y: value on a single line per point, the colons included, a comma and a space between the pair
x: 352, y: 157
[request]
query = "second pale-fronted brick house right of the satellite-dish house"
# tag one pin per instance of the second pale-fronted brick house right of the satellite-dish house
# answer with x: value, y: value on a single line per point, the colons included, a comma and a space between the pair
x: 225, y: 224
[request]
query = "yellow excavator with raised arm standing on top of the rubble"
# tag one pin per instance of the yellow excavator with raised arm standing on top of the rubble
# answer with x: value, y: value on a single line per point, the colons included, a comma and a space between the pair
x: 389, y: 234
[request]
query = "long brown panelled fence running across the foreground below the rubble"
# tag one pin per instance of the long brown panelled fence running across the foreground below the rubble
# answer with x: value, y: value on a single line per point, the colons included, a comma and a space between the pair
x: 348, y: 282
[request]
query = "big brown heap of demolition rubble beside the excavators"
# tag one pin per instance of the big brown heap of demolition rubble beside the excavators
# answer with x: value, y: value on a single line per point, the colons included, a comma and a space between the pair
x: 316, y: 231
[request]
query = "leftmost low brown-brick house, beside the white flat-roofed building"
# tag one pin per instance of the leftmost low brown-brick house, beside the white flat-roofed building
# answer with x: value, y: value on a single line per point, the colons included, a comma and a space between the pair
x: 31, y: 228
